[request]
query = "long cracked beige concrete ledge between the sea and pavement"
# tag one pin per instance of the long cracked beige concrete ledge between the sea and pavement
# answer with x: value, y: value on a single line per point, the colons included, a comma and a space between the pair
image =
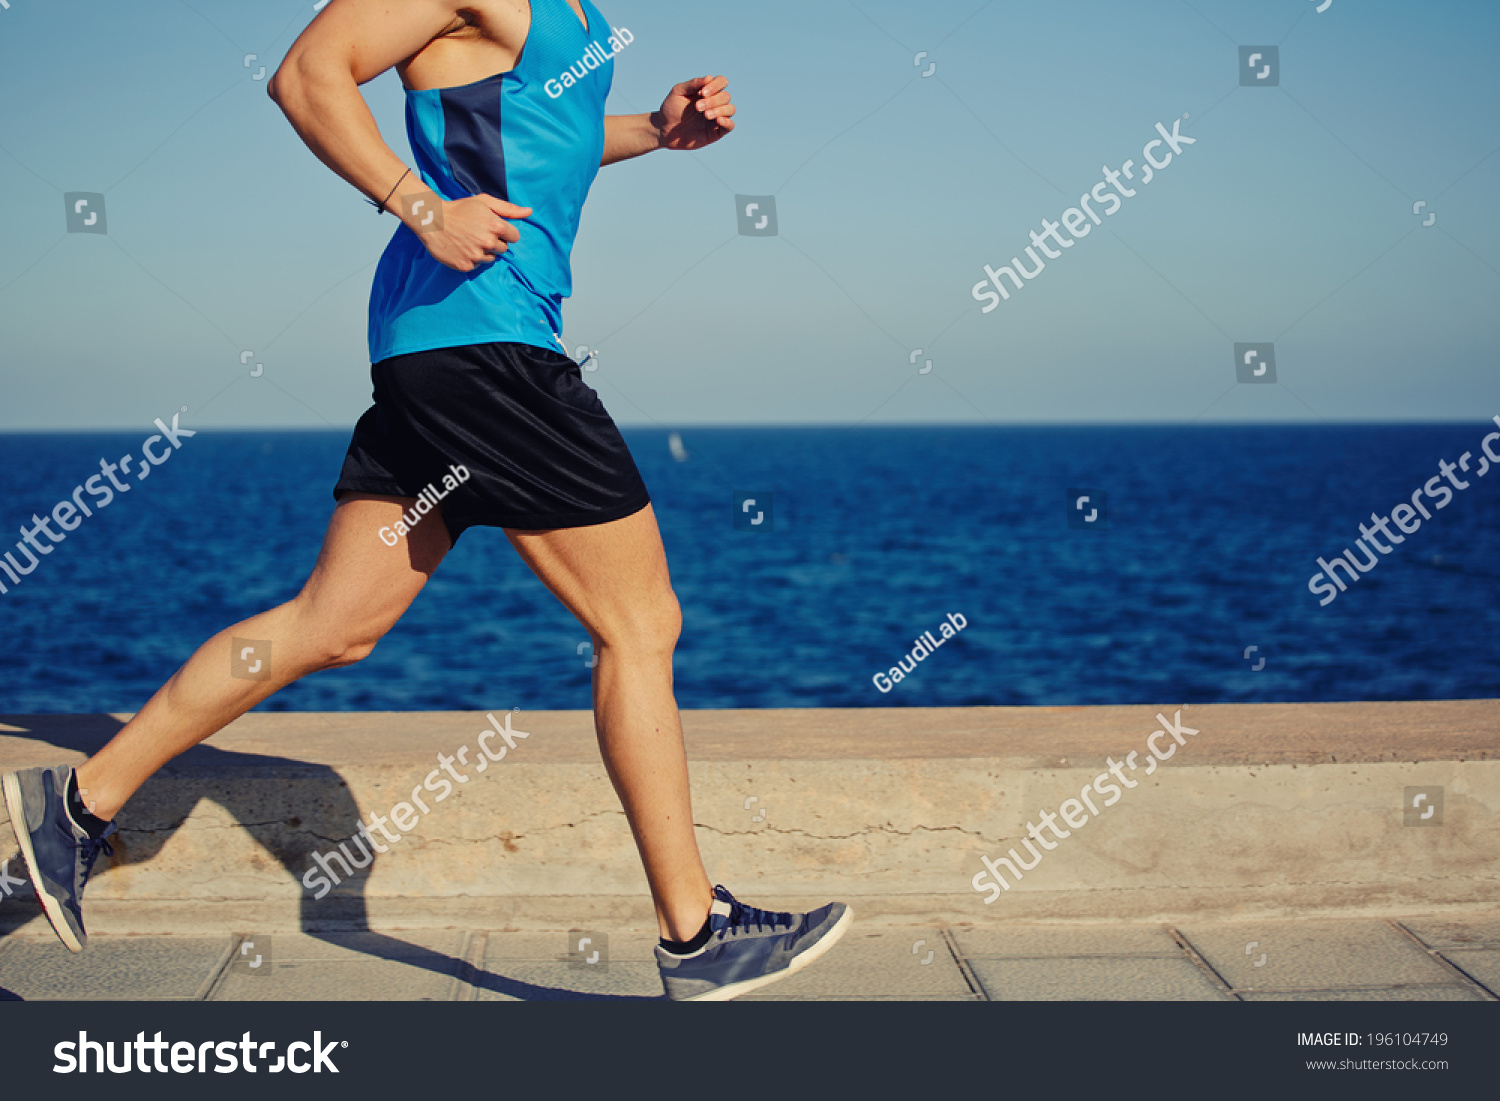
x: 1270, y: 811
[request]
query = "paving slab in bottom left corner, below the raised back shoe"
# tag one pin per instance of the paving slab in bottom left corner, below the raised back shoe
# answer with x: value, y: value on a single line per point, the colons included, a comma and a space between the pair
x: 145, y: 968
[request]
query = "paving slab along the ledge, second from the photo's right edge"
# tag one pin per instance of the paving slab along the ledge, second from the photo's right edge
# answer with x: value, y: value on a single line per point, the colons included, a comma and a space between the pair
x: 1313, y: 955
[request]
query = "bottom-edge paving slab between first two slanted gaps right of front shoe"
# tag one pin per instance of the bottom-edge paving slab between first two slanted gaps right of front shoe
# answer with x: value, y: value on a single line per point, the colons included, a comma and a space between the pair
x: 1096, y: 980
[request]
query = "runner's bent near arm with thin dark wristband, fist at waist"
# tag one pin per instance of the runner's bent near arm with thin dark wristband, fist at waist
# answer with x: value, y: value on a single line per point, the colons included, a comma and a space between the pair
x: 317, y: 88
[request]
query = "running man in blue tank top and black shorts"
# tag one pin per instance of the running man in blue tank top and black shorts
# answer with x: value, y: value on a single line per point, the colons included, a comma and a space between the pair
x: 508, y: 128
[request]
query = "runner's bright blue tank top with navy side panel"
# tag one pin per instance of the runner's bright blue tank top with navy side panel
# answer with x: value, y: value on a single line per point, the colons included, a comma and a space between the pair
x: 533, y: 137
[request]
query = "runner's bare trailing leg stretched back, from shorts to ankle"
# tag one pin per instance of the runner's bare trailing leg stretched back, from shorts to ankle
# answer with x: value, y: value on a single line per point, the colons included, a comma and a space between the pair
x: 356, y: 593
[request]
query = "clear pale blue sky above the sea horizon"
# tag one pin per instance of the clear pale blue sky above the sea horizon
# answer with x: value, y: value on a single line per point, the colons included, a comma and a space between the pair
x: 1289, y: 221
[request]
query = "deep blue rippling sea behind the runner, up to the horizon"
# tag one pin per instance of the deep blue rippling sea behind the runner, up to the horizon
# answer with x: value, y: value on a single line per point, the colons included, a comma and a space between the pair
x: 1202, y: 545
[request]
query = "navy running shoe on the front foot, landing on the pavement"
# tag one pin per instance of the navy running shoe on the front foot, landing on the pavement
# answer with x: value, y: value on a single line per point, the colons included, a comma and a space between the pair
x: 749, y: 949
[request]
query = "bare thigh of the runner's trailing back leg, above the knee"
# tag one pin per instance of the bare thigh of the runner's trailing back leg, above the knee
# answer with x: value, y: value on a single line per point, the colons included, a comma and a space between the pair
x: 362, y: 583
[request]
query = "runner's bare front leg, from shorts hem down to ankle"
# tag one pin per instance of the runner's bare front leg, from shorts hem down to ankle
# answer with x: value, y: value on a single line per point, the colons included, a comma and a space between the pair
x: 614, y: 578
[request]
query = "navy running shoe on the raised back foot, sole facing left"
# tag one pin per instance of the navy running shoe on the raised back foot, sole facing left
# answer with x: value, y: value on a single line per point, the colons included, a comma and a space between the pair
x: 58, y: 853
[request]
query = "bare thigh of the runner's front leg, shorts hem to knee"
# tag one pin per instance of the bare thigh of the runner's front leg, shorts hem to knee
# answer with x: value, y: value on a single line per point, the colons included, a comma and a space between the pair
x: 613, y: 577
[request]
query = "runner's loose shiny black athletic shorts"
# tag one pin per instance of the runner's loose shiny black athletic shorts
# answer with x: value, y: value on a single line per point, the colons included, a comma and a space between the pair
x: 533, y: 436
